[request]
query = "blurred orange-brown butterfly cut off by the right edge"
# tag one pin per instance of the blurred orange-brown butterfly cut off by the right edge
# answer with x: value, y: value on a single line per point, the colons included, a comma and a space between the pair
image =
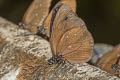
x: 110, y: 62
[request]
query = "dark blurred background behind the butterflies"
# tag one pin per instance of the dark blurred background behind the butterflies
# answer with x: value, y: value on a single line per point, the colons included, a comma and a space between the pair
x: 102, y: 17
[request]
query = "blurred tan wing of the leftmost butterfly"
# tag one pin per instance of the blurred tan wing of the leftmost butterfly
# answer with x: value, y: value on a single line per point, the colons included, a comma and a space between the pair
x: 35, y: 14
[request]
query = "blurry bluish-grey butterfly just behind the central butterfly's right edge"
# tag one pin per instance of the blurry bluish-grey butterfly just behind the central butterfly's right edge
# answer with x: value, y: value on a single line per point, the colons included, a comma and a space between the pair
x: 100, y: 49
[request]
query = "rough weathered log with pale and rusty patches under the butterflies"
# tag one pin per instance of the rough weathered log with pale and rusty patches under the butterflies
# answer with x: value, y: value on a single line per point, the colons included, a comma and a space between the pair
x: 24, y: 57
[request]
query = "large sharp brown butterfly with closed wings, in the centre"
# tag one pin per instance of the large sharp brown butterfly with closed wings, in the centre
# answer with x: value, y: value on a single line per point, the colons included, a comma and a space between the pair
x: 69, y: 38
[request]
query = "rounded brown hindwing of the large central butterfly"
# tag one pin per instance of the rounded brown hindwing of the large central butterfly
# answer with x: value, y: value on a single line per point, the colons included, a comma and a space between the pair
x: 76, y: 45
